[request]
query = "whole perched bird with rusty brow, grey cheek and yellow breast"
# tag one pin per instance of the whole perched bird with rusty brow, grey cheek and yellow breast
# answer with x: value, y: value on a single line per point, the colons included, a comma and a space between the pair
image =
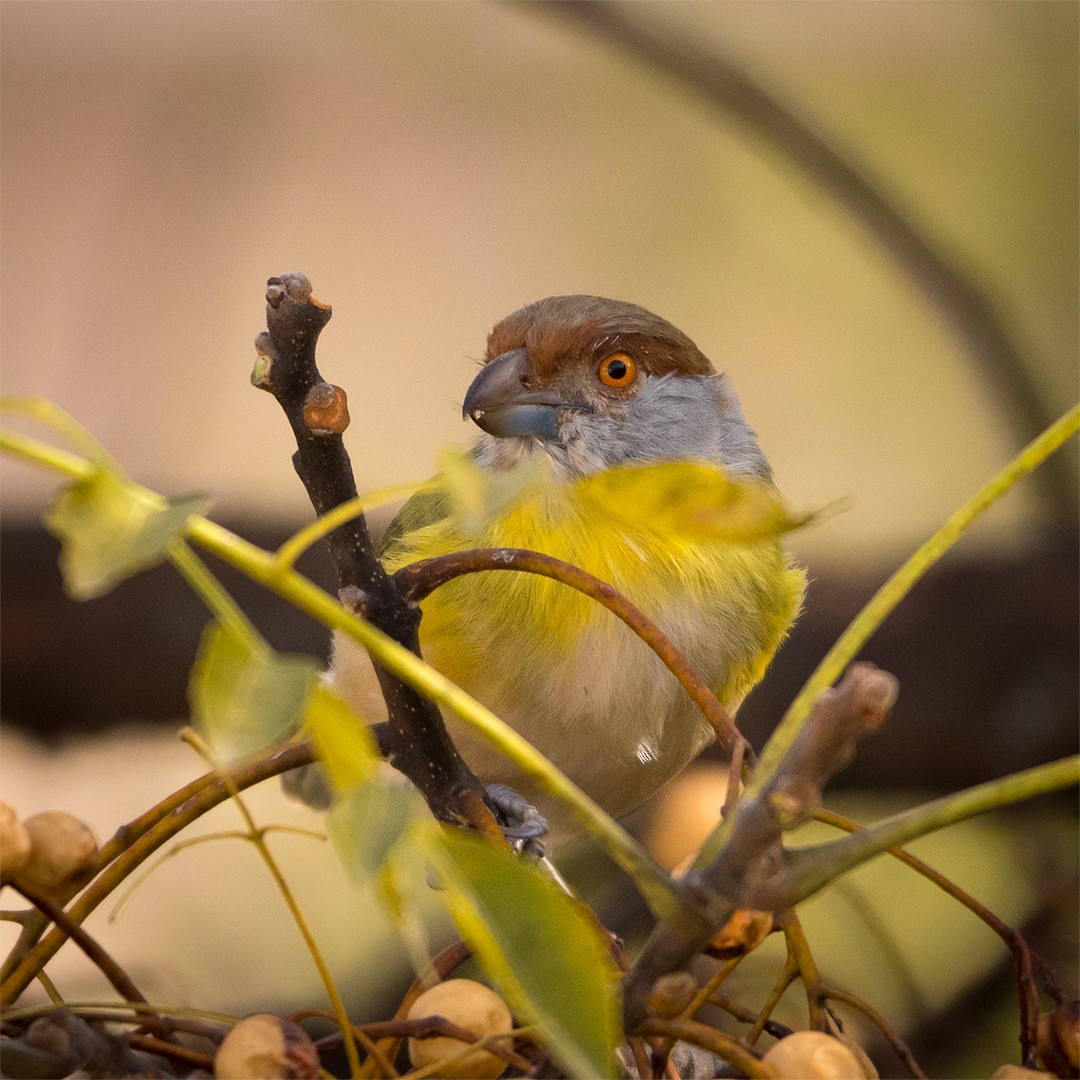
x: 572, y: 388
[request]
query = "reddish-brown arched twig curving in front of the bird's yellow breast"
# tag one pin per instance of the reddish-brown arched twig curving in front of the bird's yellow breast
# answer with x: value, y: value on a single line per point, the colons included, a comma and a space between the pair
x: 422, y: 578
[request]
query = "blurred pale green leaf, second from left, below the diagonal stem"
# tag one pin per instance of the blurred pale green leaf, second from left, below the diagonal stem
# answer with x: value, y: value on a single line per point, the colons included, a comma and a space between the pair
x: 246, y: 697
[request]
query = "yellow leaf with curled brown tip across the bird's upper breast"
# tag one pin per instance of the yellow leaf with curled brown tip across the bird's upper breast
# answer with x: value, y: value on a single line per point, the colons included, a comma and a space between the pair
x: 692, y: 499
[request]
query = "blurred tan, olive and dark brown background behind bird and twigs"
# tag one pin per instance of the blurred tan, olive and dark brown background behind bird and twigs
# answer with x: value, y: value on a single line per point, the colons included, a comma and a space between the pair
x: 434, y: 167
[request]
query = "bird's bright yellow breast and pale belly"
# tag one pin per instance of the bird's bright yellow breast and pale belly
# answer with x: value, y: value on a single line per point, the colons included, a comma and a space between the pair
x: 565, y: 672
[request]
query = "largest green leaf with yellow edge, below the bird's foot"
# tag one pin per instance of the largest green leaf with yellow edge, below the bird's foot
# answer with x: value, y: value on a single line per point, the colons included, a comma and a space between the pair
x: 543, y: 949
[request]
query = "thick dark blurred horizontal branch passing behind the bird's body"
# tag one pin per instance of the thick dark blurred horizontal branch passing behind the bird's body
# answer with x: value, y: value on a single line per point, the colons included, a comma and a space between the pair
x: 987, y: 650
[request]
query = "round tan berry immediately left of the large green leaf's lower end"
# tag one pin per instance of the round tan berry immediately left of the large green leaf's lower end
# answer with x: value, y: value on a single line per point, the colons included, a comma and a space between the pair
x: 468, y: 1005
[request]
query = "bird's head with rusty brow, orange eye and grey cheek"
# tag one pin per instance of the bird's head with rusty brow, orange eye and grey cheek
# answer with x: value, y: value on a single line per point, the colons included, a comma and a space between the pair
x: 595, y: 383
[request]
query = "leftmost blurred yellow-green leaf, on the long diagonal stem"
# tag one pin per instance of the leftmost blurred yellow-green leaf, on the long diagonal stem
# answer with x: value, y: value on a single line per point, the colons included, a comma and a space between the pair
x: 110, y: 531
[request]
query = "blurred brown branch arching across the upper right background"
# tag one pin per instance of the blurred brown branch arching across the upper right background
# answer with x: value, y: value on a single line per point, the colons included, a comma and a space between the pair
x: 958, y: 299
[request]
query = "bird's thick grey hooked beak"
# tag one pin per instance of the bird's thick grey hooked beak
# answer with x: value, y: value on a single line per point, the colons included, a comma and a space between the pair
x: 499, y: 401
